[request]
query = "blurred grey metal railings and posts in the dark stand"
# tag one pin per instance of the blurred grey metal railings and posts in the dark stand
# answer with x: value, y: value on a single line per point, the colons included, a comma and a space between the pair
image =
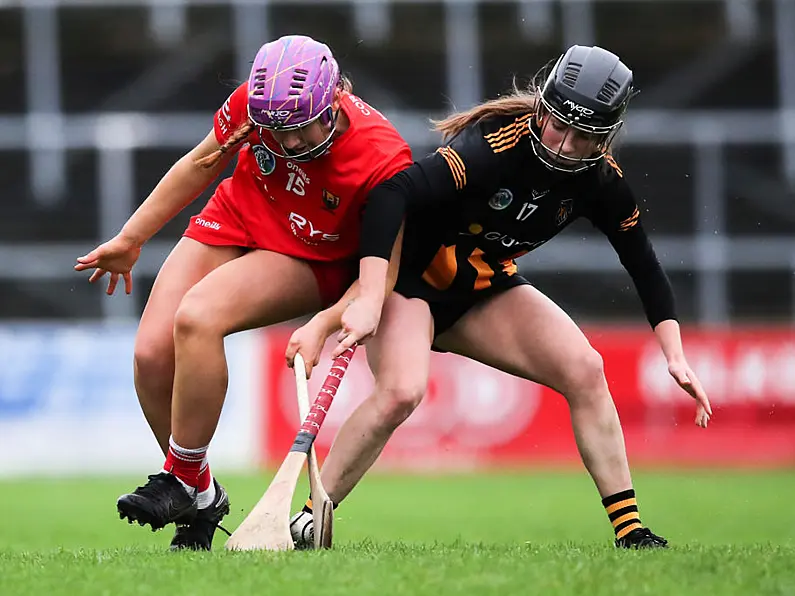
x: 710, y: 253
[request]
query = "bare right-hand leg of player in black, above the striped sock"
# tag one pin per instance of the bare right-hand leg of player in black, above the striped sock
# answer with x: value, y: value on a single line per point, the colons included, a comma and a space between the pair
x: 540, y: 342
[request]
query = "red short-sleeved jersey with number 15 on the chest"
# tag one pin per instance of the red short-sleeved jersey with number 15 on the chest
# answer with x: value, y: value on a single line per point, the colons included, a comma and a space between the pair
x: 309, y: 210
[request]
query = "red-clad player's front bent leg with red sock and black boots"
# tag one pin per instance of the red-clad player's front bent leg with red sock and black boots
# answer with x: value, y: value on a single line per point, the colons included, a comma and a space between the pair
x: 256, y: 289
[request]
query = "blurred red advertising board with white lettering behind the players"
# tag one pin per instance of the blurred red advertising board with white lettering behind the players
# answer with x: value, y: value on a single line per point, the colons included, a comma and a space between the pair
x: 476, y: 416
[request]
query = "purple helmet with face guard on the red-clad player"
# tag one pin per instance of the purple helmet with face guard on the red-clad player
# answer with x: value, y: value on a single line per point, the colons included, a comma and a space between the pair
x: 291, y: 86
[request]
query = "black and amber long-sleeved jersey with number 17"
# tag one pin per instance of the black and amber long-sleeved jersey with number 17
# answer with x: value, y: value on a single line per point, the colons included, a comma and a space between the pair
x: 484, y: 199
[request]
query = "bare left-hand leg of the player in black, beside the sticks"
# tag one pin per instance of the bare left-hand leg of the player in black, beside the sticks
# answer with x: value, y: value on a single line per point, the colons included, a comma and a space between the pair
x: 399, y: 356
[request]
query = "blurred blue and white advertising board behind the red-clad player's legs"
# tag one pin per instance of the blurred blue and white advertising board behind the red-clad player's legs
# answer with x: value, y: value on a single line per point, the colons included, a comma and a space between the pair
x: 68, y: 403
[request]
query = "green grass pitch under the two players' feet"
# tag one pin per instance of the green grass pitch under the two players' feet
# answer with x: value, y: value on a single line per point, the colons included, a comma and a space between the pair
x: 534, y: 533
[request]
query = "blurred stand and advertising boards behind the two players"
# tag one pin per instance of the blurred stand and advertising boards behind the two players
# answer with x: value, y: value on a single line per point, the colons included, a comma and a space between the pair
x: 99, y: 99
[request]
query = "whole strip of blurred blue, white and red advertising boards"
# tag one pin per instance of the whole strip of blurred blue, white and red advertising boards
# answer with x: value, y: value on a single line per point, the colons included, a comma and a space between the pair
x: 67, y: 404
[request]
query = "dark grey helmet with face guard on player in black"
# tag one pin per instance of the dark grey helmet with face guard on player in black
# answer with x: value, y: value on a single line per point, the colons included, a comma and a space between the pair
x: 587, y: 90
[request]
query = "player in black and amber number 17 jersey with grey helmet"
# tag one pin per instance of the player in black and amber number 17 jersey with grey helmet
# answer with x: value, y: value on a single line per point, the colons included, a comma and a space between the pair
x: 512, y: 174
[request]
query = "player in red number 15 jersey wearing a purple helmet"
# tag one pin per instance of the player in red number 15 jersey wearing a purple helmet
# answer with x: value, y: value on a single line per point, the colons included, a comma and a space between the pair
x: 277, y: 240
